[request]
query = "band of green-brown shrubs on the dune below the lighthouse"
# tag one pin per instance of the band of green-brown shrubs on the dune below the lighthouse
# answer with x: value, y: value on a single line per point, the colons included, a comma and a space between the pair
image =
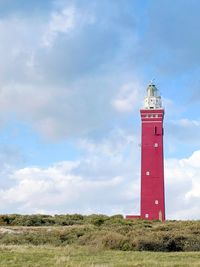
x: 100, y: 231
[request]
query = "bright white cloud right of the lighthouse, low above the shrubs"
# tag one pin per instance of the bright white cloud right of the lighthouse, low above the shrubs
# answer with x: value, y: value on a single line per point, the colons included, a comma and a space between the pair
x: 183, y: 187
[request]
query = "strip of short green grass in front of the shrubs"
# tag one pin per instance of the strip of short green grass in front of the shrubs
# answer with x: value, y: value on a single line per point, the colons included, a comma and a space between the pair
x: 70, y: 256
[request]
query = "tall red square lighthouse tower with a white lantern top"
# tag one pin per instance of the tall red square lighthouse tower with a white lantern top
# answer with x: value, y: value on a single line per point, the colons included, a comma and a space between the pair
x: 152, y: 202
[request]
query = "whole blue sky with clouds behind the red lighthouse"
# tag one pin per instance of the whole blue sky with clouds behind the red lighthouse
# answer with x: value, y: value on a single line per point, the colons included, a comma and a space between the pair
x: 73, y: 76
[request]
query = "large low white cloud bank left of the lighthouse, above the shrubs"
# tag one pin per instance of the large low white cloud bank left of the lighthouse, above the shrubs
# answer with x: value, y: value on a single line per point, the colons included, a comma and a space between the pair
x: 104, y: 180
